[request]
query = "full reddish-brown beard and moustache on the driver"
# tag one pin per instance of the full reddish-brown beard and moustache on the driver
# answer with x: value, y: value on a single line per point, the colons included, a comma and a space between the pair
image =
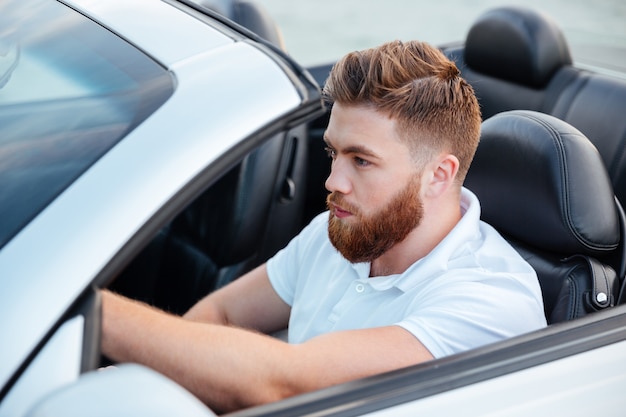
x: 371, y: 236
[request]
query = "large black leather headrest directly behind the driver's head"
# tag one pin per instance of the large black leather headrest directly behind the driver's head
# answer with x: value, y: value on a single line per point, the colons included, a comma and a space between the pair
x: 542, y: 182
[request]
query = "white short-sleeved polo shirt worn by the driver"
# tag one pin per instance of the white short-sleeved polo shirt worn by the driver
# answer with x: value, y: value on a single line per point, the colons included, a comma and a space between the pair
x: 471, y: 290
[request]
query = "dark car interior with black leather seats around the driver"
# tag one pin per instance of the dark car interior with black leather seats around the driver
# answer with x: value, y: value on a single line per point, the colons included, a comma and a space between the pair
x: 549, y: 174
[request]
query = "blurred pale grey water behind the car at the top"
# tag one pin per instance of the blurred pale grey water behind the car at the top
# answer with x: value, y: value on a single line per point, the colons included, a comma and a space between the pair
x: 317, y: 31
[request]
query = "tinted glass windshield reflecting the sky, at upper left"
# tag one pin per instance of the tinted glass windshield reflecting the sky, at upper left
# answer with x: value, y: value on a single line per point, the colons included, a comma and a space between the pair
x: 69, y: 90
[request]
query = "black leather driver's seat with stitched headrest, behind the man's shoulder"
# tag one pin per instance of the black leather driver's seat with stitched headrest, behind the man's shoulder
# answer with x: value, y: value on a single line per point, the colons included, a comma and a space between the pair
x: 543, y: 185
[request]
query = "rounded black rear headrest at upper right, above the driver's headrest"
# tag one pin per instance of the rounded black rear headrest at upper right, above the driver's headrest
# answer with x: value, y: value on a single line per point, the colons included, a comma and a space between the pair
x: 518, y: 45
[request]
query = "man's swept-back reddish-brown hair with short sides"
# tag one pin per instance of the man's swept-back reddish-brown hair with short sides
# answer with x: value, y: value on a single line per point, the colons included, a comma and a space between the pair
x: 416, y: 85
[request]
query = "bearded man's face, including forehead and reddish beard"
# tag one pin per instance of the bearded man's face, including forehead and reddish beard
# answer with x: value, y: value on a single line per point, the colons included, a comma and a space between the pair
x: 375, y: 187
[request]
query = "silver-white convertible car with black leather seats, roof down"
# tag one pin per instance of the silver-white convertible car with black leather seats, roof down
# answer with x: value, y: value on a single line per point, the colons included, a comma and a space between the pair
x: 163, y: 148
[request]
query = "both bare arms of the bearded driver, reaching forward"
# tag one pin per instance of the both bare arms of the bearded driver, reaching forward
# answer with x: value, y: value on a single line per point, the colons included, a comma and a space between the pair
x: 231, y: 367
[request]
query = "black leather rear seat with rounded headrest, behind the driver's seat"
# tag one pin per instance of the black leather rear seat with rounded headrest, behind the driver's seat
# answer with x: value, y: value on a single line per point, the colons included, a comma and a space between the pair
x: 518, y: 58
